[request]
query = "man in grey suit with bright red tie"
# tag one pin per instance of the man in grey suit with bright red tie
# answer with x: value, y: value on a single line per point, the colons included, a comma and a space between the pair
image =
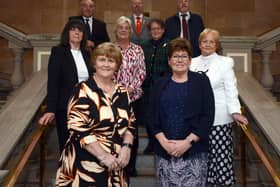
x: 140, y: 30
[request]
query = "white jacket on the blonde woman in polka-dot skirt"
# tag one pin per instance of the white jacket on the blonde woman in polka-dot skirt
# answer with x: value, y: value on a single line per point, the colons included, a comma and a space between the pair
x: 223, y: 81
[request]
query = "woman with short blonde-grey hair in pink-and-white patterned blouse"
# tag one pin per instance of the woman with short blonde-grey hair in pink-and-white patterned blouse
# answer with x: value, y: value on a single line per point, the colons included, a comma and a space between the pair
x: 131, y: 75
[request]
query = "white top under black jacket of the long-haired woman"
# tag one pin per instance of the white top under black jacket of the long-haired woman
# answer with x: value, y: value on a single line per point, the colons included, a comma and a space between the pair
x: 80, y: 65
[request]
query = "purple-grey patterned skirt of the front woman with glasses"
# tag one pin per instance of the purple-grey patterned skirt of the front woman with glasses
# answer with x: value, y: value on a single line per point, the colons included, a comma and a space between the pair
x: 179, y: 172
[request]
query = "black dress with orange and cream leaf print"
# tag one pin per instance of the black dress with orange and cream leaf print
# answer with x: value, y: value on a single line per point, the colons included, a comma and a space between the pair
x: 92, y: 116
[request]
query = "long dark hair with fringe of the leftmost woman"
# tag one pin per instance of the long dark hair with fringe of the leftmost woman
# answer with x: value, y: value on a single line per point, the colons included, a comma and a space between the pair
x: 73, y: 23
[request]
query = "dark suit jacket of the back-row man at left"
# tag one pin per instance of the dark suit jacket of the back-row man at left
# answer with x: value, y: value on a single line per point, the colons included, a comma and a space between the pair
x: 99, y: 31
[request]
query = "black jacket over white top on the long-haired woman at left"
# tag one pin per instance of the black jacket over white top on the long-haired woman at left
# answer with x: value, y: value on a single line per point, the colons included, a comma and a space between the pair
x: 62, y: 77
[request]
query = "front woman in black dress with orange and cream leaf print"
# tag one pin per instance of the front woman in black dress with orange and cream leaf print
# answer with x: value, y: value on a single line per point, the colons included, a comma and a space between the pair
x: 101, y: 127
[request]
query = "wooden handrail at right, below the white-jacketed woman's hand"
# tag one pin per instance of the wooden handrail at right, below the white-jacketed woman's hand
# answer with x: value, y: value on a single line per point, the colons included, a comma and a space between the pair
x: 261, y: 154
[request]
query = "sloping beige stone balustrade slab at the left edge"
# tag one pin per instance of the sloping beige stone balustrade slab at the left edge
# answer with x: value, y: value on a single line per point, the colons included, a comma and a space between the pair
x: 19, y: 112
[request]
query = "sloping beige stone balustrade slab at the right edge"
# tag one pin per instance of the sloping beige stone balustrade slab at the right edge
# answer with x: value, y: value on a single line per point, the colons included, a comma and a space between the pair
x: 264, y: 108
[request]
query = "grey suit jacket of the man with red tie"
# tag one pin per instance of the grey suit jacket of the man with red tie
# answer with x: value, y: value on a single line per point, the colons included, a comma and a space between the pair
x: 145, y: 33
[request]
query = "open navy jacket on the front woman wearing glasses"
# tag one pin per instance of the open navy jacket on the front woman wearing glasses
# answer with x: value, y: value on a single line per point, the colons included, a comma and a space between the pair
x: 199, y: 113
